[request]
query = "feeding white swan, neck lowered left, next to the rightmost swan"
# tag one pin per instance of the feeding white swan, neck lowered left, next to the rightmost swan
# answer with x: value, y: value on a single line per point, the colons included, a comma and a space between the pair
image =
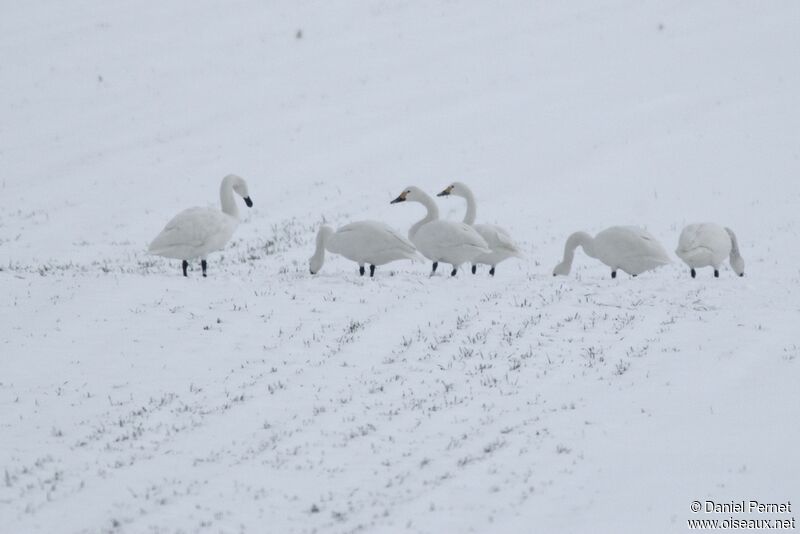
x: 628, y: 248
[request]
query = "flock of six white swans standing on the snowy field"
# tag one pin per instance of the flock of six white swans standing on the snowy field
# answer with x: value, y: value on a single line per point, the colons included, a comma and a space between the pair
x: 196, y: 232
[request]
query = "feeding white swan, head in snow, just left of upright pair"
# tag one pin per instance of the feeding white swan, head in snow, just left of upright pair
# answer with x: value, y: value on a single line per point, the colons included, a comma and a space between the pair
x: 364, y: 242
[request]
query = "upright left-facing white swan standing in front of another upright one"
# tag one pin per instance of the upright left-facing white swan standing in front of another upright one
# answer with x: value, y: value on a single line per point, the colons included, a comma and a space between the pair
x: 438, y: 240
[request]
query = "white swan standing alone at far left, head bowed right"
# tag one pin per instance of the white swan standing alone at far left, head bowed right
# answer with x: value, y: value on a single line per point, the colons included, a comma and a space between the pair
x: 196, y: 232
